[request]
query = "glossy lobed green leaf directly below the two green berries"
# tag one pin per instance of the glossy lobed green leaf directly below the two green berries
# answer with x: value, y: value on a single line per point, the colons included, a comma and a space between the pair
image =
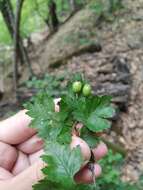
x: 93, y: 112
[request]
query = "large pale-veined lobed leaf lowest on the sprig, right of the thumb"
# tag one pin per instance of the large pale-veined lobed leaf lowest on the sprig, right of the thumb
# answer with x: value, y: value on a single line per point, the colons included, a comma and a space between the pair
x: 63, y: 163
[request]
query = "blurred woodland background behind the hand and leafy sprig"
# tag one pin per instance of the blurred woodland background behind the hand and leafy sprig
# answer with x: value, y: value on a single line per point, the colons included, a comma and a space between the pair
x: 43, y: 42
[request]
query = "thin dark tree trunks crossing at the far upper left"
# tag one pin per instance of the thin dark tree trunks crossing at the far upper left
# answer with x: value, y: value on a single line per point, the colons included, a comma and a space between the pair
x: 13, y: 24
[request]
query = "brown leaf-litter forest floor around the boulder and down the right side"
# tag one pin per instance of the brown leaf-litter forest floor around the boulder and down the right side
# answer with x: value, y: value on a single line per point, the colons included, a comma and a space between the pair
x: 122, y: 38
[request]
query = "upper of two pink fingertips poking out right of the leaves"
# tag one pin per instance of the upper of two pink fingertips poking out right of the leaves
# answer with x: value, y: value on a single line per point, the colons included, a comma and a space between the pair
x: 100, y: 151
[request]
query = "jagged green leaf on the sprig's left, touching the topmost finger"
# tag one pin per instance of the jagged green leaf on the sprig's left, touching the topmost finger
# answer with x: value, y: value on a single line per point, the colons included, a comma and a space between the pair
x: 48, y: 122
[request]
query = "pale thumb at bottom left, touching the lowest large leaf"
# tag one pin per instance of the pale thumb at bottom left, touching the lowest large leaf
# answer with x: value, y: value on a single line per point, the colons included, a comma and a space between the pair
x: 29, y: 177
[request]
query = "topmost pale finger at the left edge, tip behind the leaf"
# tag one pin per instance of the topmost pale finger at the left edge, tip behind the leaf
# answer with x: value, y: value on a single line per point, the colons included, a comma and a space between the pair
x: 15, y: 130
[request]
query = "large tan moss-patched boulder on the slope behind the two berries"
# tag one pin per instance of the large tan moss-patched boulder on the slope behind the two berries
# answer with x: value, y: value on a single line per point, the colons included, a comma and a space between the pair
x: 73, y: 38
